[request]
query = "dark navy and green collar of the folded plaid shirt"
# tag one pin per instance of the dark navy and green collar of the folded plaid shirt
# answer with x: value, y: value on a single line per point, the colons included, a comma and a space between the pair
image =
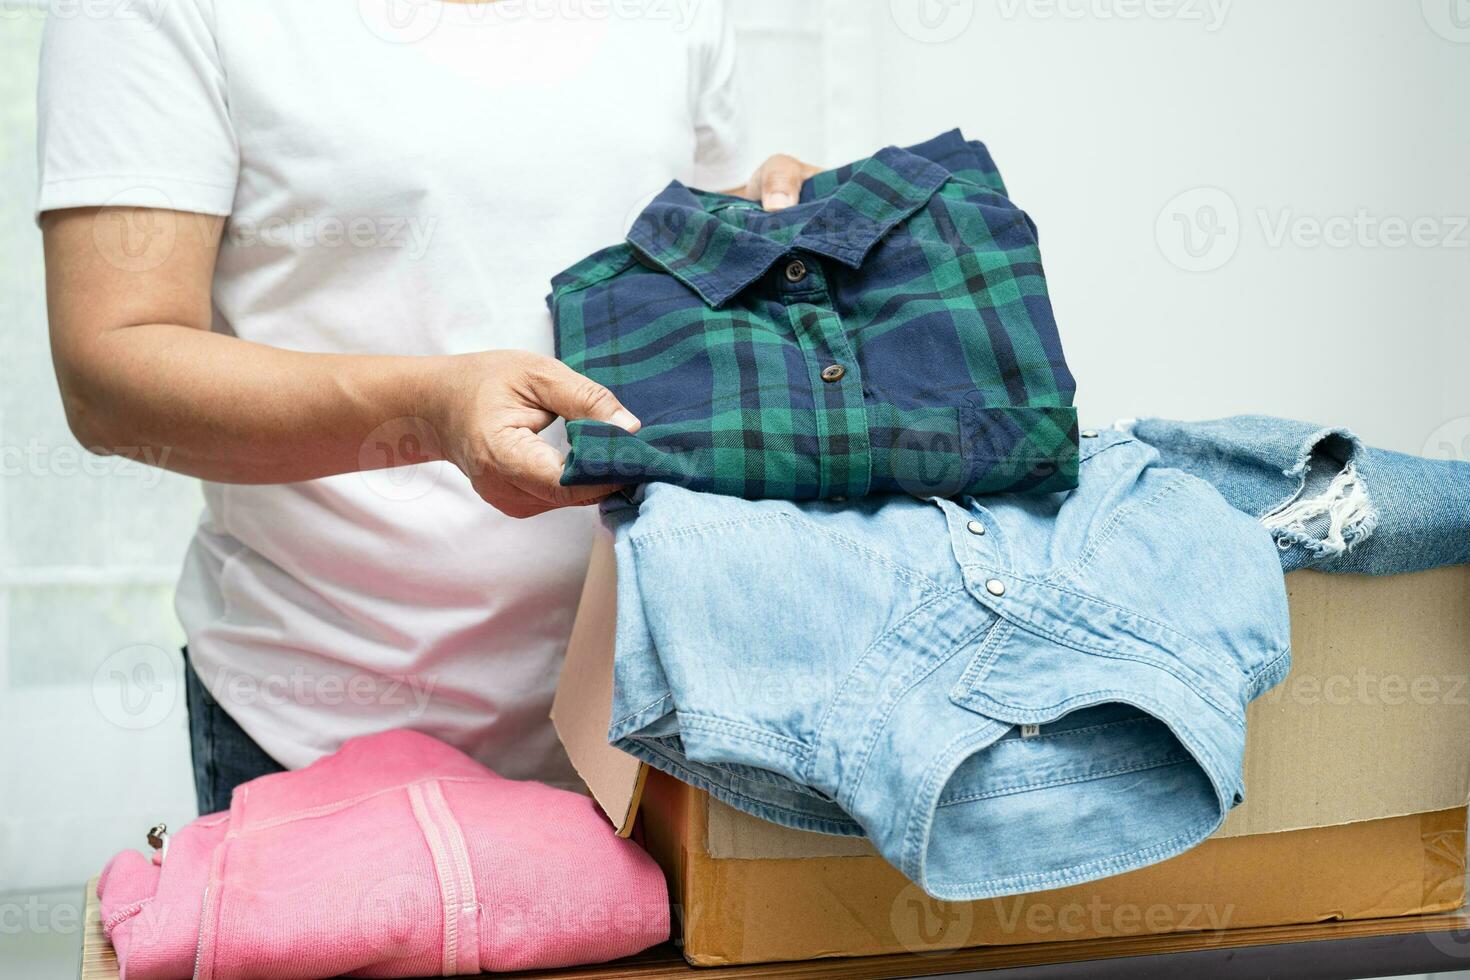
x: 717, y: 258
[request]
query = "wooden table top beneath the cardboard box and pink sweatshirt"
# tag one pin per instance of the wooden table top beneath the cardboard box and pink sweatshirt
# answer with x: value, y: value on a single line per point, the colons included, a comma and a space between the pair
x: 1363, y: 948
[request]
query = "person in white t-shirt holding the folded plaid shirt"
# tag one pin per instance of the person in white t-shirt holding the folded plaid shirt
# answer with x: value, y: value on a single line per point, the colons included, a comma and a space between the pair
x: 293, y: 245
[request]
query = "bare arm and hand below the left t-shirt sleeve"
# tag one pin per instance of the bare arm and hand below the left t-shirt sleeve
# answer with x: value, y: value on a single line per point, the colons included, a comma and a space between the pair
x: 129, y: 293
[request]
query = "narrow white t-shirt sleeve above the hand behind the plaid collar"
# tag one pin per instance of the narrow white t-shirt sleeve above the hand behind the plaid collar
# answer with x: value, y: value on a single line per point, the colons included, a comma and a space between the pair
x: 721, y: 154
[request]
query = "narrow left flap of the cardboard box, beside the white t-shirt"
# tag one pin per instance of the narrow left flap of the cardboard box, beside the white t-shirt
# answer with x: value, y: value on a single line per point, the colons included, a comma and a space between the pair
x: 584, y: 696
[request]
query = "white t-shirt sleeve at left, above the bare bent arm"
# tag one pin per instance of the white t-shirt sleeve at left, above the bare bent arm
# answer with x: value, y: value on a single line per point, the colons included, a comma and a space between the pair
x: 133, y: 111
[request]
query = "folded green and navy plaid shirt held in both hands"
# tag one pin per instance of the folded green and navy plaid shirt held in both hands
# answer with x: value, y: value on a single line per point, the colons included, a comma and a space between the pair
x: 890, y: 333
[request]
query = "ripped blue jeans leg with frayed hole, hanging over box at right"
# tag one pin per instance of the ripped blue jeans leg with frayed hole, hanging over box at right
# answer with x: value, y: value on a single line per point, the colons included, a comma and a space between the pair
x: 1330, y: 502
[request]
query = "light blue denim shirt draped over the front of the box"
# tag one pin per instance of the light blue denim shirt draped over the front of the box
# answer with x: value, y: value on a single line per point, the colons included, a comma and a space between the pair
x: 1005, y: 694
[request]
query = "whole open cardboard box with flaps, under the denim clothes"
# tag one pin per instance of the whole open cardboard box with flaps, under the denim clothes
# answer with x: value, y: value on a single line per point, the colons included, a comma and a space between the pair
x: 1358, y: 778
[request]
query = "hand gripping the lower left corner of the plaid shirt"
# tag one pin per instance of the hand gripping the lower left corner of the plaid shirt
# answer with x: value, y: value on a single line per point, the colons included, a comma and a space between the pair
x: 487, y: 409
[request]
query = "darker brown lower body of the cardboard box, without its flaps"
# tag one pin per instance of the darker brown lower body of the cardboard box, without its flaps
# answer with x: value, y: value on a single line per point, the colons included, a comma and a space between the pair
x: 758, y: 910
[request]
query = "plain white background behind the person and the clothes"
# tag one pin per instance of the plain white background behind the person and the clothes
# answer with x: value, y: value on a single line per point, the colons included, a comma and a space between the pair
x: 1119, y: 126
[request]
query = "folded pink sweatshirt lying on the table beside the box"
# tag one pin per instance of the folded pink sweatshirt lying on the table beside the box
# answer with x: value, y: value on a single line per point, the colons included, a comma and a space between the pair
x: 395, y: 857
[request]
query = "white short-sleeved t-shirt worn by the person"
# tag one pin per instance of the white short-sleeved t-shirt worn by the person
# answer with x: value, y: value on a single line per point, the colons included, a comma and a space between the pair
x: 402, y: 177
